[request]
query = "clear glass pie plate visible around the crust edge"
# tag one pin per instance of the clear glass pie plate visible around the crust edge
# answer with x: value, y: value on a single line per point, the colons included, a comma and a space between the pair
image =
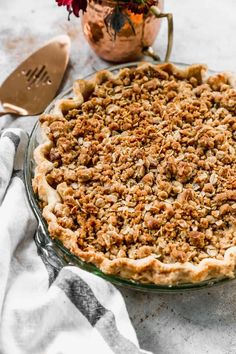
x: 53, y: 250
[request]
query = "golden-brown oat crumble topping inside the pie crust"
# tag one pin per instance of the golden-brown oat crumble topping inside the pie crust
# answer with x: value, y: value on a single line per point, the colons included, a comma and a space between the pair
x: 147, y: 165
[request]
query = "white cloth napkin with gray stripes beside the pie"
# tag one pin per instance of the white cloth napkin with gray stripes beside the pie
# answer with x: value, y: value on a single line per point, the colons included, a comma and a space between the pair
x: 44, y: 311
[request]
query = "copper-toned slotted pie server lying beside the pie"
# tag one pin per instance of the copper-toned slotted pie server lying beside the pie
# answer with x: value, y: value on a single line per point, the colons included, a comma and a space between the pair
x: 34, y: 83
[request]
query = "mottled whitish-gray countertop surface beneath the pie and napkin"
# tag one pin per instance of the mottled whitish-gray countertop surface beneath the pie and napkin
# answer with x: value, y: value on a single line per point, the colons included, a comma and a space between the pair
x: 195, y: 322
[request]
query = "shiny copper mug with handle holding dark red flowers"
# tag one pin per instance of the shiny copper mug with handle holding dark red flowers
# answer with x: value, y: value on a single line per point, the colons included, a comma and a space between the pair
x: 131, y: 41
